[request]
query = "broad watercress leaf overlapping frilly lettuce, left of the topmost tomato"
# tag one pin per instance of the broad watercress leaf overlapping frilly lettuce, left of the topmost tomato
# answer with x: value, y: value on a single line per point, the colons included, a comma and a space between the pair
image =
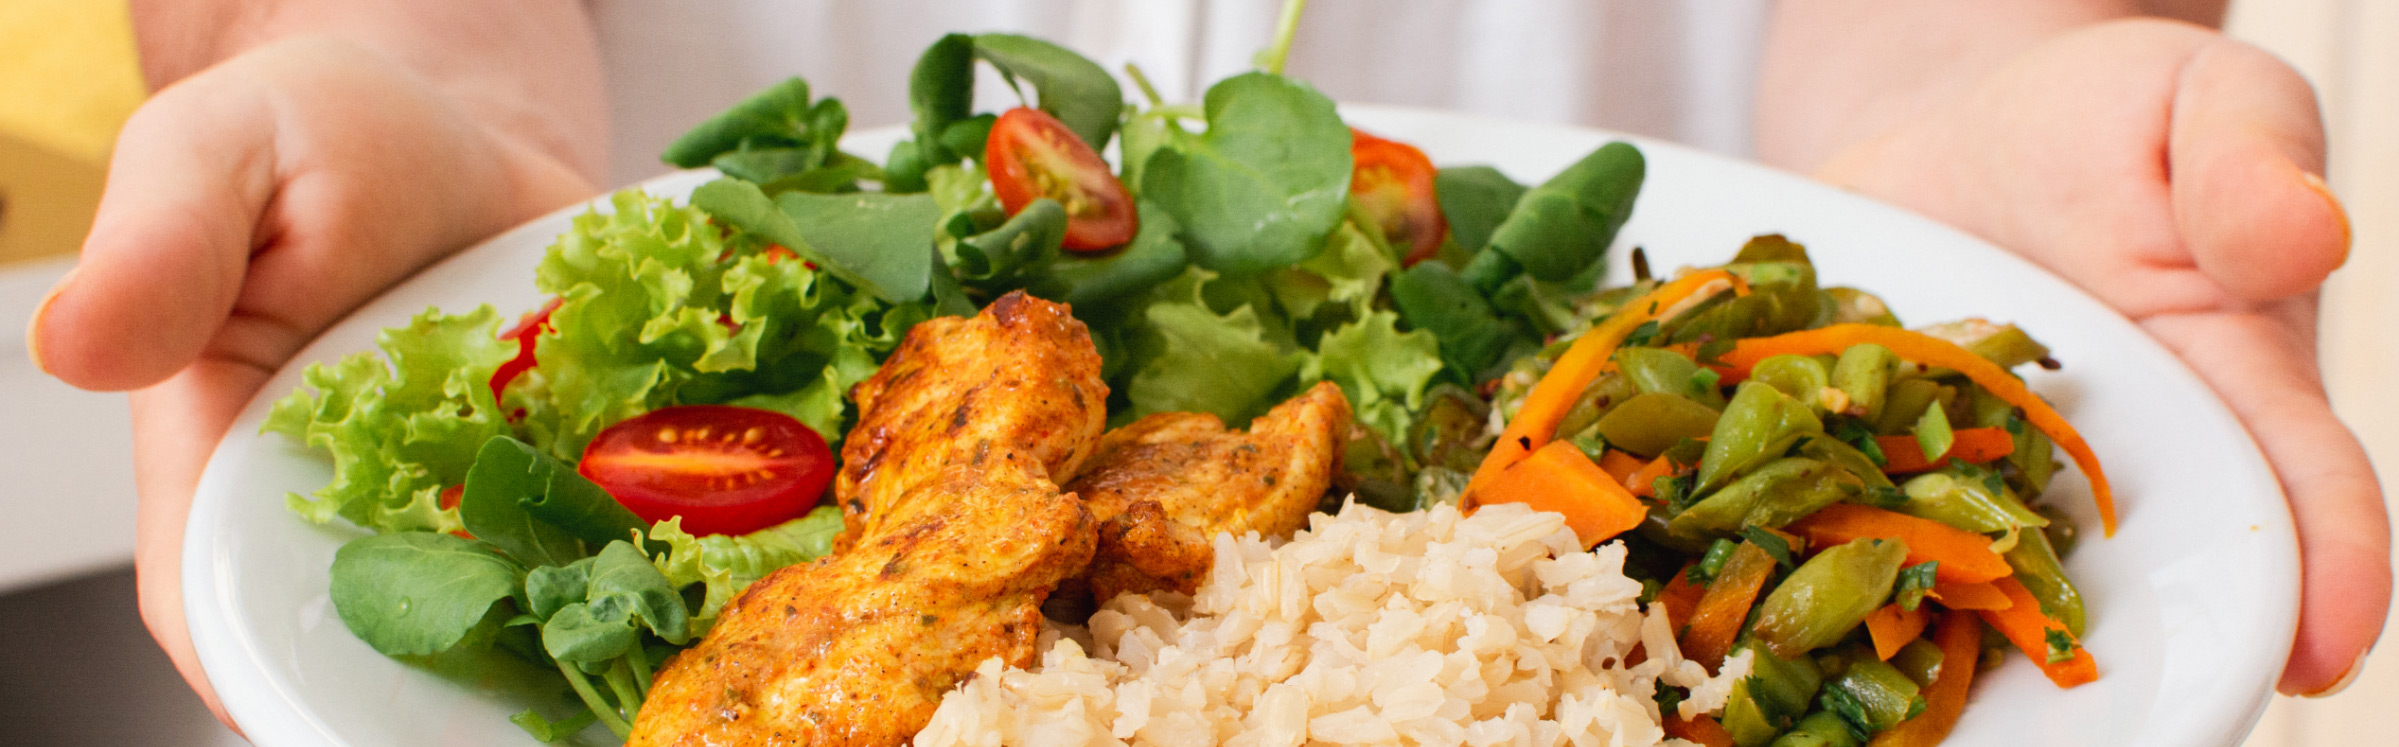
x: 877, y: 237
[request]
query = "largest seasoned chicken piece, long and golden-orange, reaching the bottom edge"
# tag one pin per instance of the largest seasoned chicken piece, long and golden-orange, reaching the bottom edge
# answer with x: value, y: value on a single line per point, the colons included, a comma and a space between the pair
x: 958, y: 534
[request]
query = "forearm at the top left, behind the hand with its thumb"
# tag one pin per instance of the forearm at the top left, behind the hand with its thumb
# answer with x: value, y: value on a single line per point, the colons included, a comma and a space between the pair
x: 527, y: 71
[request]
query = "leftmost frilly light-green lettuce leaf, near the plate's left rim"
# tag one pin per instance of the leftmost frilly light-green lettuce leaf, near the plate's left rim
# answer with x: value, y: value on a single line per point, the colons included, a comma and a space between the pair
x: 399, y: 431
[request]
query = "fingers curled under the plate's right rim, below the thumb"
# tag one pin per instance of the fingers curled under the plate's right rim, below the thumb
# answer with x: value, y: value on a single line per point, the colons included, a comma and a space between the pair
x: 2266, y: 373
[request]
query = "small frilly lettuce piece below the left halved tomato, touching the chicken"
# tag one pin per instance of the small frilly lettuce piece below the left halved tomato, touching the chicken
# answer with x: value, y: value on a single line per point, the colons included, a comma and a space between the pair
x: 730, y: 563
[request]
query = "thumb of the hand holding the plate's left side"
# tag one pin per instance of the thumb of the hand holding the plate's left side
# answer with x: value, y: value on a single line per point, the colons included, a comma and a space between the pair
x: 167, y: 251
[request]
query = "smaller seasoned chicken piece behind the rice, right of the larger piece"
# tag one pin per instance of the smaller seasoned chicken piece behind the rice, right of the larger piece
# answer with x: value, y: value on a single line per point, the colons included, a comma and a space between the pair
x: 1172, y: 482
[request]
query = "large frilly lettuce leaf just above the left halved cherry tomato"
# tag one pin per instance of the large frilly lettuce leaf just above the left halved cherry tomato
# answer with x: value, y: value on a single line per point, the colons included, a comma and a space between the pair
x: 663, y: 306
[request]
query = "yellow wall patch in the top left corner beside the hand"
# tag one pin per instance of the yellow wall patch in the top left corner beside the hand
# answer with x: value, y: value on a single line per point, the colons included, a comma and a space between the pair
x: 68, y: 80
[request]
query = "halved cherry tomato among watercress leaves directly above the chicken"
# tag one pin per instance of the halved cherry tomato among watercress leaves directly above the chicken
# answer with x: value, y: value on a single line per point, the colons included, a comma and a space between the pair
x: 1030, y: 155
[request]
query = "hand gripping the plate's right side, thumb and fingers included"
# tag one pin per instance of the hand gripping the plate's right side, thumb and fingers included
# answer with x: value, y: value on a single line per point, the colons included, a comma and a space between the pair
x: 2175, y: 174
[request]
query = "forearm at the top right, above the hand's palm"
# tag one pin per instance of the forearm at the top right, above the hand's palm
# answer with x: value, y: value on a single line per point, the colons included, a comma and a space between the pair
x: 1841, y: 71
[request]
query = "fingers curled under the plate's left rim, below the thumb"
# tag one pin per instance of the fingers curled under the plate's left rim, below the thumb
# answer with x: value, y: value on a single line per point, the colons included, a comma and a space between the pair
x: 176, y: 429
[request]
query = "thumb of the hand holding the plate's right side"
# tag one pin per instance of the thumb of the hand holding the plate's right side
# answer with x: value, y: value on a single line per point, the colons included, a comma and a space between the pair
x: 2247, y: 153
